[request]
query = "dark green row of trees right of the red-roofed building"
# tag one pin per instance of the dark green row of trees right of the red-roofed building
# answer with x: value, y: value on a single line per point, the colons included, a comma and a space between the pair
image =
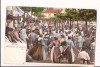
x: 71, y: 15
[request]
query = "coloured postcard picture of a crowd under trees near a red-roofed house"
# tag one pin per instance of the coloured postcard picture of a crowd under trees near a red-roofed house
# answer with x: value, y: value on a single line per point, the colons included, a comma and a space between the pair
x: 52, y: 35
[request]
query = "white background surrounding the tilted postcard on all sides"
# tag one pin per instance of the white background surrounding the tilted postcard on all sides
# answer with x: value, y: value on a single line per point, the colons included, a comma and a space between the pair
x: 87, y: 4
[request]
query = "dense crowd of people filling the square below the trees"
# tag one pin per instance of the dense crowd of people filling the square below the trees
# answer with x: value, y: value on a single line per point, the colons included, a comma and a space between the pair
x: 52, y: 38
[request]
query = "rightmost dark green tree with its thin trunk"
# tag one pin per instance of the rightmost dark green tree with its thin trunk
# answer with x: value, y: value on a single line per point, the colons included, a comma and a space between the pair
x: 87, y: 15
